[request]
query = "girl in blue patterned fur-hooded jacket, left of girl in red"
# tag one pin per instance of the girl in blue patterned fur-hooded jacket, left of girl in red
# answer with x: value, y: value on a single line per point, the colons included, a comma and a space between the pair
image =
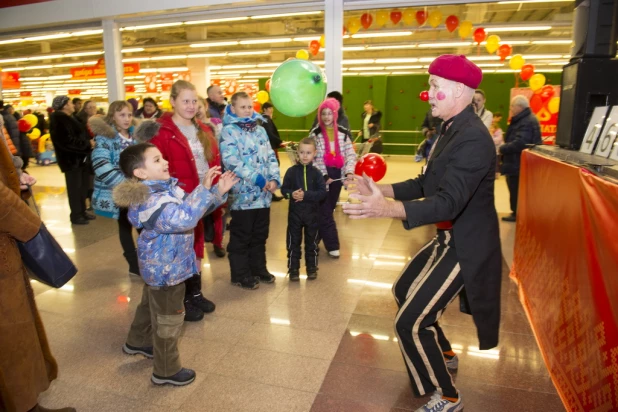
x: 113, y: 133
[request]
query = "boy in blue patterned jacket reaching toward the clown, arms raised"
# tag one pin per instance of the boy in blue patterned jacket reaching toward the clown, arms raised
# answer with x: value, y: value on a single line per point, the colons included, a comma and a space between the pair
x: 166, y: 257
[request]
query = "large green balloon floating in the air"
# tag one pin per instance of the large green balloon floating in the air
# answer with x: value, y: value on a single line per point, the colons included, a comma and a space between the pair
x: 297, y: 87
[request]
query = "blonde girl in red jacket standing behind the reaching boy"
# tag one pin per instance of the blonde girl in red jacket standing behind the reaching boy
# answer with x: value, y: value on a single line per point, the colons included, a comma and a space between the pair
x: 191, y: 149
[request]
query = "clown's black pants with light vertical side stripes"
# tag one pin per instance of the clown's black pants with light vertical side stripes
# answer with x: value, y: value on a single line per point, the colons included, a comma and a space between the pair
x: 426, y: 287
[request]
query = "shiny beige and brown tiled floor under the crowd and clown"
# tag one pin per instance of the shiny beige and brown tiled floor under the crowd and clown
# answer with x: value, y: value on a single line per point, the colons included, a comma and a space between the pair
x: 326, y: 345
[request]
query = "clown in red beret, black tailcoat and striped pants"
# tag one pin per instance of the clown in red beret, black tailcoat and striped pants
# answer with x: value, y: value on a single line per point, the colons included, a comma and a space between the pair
x: 456, y: 193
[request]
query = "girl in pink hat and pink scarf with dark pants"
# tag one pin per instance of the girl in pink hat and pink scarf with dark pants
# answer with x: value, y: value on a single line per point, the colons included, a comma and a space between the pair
x: 336, y: 159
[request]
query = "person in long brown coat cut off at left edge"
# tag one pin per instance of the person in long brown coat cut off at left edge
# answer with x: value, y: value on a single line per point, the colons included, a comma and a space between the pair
x: 27, y: 366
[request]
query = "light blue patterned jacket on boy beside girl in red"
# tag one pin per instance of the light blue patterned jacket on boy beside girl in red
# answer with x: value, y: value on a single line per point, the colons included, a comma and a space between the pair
x: 246, y: 151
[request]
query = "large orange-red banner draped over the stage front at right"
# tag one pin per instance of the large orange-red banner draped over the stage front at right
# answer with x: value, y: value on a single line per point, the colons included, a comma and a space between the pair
x: 565, y: 263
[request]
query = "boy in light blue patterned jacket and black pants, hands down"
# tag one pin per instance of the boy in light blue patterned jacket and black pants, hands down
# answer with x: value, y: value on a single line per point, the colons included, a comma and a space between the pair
x: 246, y: 151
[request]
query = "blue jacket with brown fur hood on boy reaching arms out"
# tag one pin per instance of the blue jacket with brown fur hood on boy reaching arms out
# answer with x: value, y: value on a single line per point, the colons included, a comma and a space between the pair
x: 168, y: 216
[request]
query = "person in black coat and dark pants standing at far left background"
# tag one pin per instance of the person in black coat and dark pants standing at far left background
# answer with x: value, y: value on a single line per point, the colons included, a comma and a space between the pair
x: 73, y: 147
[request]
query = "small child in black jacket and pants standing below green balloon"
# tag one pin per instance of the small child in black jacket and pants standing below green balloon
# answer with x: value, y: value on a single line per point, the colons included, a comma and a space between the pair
x: 305, y: 187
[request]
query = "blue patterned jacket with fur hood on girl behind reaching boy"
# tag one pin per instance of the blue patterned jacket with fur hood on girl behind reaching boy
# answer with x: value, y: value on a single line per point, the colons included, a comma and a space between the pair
x: 105, y: 163
